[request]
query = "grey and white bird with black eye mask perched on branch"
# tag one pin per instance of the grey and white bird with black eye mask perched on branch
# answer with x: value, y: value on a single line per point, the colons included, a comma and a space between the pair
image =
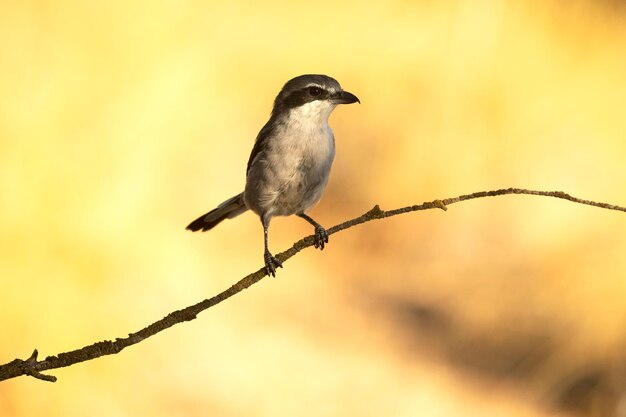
x: 290, y: 162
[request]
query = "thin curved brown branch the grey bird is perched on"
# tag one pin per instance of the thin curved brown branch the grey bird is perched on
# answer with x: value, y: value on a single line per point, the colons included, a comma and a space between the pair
x: 33, y: 367
